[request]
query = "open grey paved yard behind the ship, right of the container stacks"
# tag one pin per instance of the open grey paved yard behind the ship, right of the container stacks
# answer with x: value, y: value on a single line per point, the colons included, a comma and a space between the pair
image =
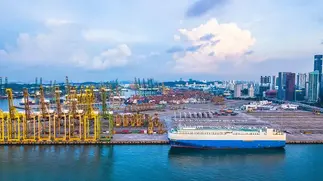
x: 300, y: 126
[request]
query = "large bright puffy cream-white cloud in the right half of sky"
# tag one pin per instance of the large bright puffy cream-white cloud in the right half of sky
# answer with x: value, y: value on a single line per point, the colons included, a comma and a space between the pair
x: 211, y: 44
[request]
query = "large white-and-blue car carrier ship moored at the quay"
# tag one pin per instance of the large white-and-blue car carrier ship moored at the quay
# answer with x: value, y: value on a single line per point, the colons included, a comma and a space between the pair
x: 219, y: 138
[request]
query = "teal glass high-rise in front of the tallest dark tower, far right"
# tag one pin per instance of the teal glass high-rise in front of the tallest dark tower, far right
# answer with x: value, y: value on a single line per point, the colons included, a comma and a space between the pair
x: 313, y: 86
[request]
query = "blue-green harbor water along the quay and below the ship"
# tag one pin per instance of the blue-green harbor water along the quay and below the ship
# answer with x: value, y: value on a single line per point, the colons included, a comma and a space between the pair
x: 160, y: 163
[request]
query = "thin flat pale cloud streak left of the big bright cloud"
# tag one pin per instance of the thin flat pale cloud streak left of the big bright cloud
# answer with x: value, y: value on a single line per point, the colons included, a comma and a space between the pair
x: 102, y: 35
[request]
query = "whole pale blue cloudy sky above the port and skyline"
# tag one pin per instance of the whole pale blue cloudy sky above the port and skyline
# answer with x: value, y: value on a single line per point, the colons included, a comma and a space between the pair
x: 104, y: 40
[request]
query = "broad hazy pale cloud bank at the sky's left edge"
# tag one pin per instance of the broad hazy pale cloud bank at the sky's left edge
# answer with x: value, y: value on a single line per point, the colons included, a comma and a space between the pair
x: 64, y: 45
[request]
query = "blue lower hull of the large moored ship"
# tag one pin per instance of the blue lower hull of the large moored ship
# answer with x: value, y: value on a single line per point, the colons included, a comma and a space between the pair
x: 227, y: 144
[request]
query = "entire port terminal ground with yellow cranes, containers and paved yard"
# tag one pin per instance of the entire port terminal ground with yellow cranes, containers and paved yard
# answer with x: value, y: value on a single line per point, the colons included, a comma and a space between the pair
x: 102, y: 115
